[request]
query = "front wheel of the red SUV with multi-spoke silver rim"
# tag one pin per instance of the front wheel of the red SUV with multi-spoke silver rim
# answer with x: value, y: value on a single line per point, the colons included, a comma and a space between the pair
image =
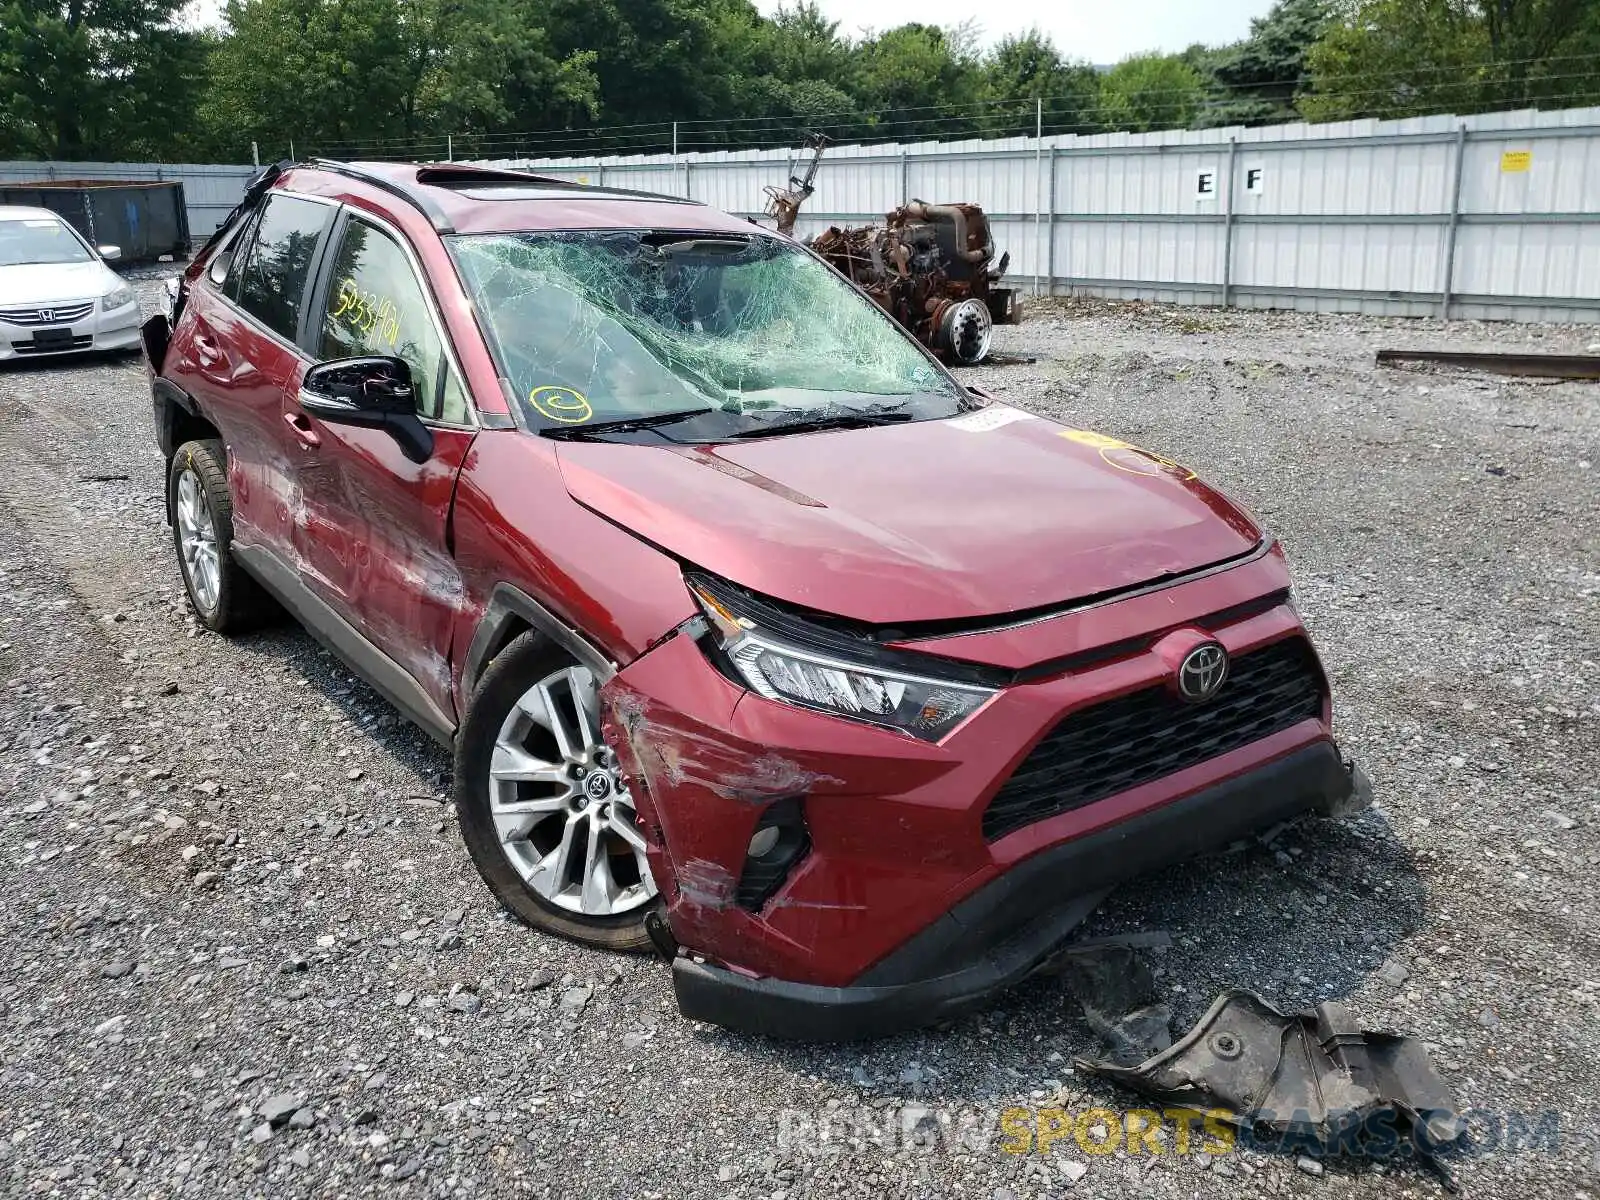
x: 545, y: 814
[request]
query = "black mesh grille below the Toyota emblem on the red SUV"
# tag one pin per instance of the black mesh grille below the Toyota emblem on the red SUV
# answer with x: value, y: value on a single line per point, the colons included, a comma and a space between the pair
x: 1148, y: 735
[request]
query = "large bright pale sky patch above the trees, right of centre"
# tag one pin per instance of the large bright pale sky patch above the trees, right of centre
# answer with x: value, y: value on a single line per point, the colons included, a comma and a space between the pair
x: 1100, y: 31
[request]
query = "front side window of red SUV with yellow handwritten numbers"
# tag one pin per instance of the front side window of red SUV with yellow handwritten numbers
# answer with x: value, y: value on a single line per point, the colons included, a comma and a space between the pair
x: 377, y: 306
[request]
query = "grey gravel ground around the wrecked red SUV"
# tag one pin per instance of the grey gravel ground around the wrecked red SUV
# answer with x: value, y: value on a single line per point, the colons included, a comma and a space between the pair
x: 242, y: 950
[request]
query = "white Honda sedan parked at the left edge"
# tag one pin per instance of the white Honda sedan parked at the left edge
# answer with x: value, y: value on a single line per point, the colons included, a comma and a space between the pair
x: 57, y: 294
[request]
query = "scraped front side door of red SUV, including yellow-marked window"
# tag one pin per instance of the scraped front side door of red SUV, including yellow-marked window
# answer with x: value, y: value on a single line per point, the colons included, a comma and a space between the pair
x: 374, y: 538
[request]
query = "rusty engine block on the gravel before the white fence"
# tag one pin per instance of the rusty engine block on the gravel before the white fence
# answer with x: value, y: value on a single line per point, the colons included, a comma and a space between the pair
x: 932, y: 270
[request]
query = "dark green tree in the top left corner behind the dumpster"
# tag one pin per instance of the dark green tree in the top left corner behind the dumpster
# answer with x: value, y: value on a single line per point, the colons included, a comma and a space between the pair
x: 97, y: 79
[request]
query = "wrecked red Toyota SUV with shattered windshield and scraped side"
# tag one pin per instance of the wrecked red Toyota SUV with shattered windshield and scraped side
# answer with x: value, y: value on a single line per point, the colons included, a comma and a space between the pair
x: 756, y: 634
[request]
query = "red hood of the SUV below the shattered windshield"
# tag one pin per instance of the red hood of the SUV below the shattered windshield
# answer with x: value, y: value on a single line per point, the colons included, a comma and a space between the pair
x: 978, y: 516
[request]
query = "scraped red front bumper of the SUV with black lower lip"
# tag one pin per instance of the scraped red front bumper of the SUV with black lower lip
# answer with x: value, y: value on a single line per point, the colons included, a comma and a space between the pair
x: 830, y: 879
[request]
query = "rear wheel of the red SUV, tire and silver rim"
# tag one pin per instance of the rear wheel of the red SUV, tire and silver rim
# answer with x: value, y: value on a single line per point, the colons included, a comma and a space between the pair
x: 223, y: 596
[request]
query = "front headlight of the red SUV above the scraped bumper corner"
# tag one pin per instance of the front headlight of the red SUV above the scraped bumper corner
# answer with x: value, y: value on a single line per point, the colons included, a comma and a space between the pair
x: 847, y: 682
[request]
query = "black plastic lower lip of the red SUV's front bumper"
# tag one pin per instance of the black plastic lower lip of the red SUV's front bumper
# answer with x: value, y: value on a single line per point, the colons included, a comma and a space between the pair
x: 1017, y: 926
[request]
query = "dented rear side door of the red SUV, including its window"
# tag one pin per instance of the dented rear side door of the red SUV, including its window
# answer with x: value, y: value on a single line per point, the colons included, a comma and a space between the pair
x: 239, y: 354
